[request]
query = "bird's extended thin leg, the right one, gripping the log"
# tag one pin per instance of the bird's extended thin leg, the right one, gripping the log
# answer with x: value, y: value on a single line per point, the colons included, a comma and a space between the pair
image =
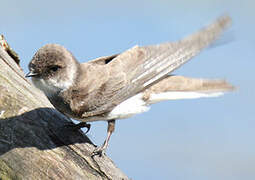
x: 101, y: 150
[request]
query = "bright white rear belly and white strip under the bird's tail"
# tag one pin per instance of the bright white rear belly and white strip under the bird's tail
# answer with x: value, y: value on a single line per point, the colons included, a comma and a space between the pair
x: 136, y: 104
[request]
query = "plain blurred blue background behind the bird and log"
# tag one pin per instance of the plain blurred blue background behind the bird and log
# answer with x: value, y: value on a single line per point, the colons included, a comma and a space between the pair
x: 187, y: 139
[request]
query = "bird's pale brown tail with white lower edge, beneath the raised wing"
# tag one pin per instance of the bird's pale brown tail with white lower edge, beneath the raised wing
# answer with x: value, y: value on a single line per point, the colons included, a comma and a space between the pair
x: 179, y: 87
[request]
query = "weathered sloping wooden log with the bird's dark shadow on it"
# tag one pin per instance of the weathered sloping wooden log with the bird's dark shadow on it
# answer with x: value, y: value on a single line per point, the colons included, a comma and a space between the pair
x: 33, y: 143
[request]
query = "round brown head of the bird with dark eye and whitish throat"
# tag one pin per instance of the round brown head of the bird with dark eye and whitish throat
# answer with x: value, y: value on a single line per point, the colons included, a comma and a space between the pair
x: 53, y: 69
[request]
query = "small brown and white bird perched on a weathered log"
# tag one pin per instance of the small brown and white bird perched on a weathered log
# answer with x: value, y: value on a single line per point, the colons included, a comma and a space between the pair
x: 125, y: 84
